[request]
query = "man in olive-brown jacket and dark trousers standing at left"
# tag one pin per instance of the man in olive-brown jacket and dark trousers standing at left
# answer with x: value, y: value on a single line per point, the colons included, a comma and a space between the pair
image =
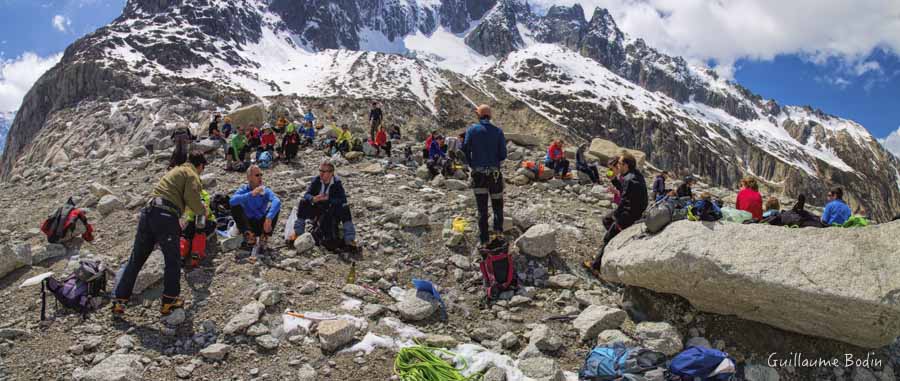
x: 159, y: 225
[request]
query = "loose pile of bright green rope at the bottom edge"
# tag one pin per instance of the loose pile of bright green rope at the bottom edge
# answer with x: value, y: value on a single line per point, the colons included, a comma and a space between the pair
x: 420, y: 363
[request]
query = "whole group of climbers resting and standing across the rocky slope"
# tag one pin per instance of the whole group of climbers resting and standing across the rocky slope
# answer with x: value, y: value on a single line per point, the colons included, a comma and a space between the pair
x: 324, y: 212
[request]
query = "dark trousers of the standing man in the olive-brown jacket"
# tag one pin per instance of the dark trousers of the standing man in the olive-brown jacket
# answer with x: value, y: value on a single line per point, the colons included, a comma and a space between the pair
x: 156, y: 226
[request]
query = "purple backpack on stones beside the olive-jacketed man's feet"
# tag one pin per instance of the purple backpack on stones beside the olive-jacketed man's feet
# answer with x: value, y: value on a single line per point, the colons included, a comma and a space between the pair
x: 78, y: 290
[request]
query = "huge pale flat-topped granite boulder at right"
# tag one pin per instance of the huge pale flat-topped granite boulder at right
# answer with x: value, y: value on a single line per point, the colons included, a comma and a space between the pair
x: 836, y: 283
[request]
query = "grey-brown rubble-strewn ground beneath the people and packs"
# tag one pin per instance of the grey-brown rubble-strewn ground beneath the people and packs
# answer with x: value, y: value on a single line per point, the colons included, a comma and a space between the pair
x: 233, y: 327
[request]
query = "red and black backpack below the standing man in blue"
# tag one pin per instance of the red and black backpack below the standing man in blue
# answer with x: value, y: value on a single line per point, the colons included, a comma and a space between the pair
x: 497, y: 268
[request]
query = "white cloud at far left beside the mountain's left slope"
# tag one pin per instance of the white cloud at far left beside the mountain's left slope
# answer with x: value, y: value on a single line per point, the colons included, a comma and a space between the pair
x: 18, y: 75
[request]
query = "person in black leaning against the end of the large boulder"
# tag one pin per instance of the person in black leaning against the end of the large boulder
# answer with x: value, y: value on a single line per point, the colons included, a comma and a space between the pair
x: 631, y: 207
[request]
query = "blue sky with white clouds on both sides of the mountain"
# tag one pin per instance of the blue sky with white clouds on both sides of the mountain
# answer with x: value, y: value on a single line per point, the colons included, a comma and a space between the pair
x: 835, y: 57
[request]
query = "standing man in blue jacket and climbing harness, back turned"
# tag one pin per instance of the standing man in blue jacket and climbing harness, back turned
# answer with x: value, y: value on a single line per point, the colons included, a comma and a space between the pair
x: 485, y: 148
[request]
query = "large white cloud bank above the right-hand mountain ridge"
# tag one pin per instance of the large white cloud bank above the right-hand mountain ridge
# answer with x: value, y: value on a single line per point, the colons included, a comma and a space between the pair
x: 726, y: 31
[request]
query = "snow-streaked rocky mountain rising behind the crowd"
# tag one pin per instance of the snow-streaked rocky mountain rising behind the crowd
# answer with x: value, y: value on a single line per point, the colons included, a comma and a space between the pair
x: 165, y: 62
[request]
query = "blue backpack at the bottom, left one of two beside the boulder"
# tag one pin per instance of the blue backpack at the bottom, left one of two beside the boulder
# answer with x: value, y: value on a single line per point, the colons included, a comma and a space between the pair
x: 615, y: 361
